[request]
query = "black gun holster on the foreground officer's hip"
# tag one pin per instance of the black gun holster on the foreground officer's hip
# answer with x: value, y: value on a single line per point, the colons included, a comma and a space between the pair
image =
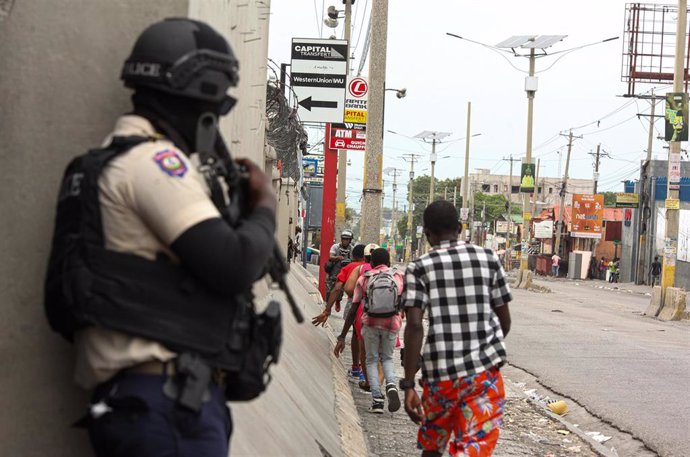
x: 189, y: 387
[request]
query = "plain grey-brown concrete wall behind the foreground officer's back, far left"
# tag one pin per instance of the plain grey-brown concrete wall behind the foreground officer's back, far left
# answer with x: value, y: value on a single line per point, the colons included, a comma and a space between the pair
x: 60, y: 62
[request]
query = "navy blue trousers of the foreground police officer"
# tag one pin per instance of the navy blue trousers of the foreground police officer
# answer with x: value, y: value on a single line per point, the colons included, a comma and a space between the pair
x: 146, y: 423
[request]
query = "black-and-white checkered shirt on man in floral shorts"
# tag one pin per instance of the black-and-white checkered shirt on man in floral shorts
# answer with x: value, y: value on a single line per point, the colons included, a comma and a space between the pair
x: 459, y: 285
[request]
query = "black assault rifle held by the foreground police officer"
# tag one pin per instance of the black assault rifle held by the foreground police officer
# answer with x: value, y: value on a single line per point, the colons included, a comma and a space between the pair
x: 217, y: 162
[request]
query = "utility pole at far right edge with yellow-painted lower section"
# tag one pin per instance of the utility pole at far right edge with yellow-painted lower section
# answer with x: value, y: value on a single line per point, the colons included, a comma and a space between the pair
x: 668, y: 273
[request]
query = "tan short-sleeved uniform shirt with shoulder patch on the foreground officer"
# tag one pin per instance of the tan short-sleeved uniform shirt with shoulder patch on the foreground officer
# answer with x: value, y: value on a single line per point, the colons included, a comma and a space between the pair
x: 149, y: 196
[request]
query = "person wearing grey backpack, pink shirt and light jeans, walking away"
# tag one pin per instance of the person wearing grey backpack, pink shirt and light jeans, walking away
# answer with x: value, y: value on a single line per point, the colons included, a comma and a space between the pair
x: 378, y: 291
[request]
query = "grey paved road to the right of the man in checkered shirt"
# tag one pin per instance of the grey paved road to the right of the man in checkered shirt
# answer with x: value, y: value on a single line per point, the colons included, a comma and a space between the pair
x: 594, y: 346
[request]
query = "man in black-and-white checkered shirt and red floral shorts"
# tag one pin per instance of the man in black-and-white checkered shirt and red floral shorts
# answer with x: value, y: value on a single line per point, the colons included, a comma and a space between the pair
x: 463, y: 290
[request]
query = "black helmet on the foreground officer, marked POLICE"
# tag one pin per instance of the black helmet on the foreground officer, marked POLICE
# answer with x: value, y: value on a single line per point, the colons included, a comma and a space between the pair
x: 182, y: 57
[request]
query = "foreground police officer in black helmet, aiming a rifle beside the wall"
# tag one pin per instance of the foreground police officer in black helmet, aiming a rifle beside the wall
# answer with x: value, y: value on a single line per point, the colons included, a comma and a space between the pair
x: 155, y: 263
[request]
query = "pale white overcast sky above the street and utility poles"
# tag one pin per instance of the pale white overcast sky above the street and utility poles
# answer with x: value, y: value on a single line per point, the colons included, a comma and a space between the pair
x: 582, y: 90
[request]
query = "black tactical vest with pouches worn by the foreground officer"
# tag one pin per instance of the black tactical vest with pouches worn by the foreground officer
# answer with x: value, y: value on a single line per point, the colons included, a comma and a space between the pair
x: 87, y: 284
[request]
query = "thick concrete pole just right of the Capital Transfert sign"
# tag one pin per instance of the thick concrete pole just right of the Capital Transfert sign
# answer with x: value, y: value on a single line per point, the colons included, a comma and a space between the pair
x: 371, y: 203
